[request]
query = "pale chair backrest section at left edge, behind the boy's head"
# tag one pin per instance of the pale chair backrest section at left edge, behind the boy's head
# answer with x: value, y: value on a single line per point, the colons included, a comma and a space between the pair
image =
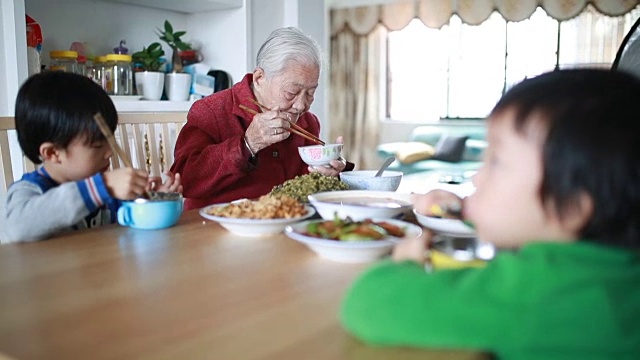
x: 10, y: 153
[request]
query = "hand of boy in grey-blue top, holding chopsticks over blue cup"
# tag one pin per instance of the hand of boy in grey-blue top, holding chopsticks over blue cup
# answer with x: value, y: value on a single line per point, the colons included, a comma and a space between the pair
x: 126, y: 183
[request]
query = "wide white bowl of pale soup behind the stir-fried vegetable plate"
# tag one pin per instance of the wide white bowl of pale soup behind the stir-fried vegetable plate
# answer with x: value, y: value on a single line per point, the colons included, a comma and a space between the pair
x: 361, y: 204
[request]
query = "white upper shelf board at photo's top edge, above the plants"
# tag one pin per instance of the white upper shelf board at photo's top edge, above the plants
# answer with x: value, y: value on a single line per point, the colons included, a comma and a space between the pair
x: 185, y: 6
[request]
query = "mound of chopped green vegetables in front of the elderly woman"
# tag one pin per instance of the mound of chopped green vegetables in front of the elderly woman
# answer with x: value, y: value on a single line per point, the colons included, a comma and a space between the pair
x: 302, y: 186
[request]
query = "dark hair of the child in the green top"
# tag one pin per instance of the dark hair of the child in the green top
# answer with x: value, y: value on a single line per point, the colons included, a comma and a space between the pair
x: 592, y: 145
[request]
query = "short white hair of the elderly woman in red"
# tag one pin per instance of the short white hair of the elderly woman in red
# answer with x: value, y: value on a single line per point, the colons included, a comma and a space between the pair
x: 284, y: 45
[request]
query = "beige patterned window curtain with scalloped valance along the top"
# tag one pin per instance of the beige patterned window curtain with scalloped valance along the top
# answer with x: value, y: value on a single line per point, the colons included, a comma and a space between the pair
x: 356, y: 41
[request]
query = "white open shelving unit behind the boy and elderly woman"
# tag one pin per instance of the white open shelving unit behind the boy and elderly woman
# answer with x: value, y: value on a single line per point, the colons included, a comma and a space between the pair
x: 219, y: 26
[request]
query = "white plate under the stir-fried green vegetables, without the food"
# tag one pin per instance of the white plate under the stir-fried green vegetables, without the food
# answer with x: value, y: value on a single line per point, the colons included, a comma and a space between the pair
x: 350, y: 251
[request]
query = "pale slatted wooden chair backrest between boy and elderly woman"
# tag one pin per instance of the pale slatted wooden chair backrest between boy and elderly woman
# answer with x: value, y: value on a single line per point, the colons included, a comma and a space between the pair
x: 148, y: 139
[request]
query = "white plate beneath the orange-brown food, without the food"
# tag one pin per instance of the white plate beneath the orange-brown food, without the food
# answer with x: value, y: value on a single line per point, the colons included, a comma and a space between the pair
x: 253, y: 227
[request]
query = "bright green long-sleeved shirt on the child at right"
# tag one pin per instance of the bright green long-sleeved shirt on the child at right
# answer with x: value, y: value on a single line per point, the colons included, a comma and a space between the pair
x: 547, y: 301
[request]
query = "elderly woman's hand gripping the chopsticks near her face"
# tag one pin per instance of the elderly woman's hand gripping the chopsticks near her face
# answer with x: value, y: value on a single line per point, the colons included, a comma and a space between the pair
x: 267, y: 128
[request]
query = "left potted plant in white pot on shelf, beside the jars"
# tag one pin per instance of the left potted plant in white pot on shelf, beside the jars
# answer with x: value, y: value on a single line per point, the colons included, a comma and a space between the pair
x: 150, y: 80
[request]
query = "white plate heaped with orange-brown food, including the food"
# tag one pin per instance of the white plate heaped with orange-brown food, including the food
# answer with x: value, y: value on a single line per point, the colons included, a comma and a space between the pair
x: 264, y: 217
